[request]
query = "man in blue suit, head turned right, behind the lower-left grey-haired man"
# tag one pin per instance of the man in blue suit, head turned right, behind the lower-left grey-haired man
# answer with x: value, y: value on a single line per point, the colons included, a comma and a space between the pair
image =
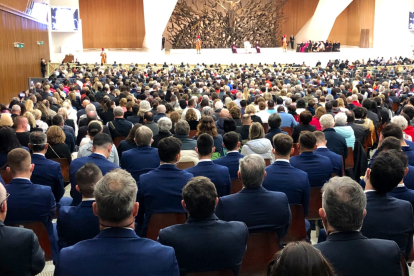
x: 102, y: 145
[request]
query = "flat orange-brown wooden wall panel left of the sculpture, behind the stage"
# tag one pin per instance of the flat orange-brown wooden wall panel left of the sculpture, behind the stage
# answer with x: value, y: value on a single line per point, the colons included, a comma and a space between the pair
x: 108, y: 24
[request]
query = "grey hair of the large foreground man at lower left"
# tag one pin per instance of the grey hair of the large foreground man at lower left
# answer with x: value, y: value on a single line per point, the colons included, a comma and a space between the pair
x: 115, y: 195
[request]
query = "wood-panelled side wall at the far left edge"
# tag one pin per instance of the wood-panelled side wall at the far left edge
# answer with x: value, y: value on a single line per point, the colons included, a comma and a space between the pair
x: 17, y: 65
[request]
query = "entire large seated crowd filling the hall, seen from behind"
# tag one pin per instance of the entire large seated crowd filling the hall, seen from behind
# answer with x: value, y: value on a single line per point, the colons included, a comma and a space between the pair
x: 182, y: 169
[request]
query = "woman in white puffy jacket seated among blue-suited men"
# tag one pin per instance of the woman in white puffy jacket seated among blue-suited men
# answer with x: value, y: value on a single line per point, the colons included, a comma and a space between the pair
x: 257, y: 143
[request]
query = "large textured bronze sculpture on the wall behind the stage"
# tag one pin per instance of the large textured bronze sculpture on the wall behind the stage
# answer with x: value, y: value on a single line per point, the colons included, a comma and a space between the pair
x: 220, y: 23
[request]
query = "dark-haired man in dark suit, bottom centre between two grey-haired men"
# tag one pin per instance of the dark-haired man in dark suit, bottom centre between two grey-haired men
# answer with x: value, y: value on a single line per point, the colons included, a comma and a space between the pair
x: 205, y: 243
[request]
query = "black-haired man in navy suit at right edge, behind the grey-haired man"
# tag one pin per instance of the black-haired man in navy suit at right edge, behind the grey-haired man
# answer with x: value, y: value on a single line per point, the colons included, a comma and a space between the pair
x: 387, y: 217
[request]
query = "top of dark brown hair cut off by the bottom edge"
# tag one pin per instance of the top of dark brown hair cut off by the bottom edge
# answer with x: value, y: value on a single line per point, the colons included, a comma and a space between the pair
x: 299, y: 258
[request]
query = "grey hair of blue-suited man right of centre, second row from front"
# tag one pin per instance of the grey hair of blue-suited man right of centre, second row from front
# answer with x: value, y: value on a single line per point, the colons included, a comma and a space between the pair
x: 252, y: 168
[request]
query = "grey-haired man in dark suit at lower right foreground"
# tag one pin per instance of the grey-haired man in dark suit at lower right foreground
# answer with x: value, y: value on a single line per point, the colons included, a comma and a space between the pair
x: 346, y: 248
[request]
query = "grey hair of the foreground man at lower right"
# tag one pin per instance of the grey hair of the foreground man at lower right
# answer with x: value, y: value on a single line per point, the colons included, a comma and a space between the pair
x: 344, y: 202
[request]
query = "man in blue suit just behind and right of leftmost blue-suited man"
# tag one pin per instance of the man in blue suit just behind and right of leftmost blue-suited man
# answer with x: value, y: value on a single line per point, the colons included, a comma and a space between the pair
x: 46, y: 172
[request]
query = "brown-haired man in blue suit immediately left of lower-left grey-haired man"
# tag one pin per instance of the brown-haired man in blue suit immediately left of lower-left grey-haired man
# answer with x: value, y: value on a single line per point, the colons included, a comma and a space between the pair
x: 78, y: 223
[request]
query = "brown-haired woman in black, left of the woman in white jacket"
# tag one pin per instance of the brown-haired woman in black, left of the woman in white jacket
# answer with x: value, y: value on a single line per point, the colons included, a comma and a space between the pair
x: 57, y: 147
